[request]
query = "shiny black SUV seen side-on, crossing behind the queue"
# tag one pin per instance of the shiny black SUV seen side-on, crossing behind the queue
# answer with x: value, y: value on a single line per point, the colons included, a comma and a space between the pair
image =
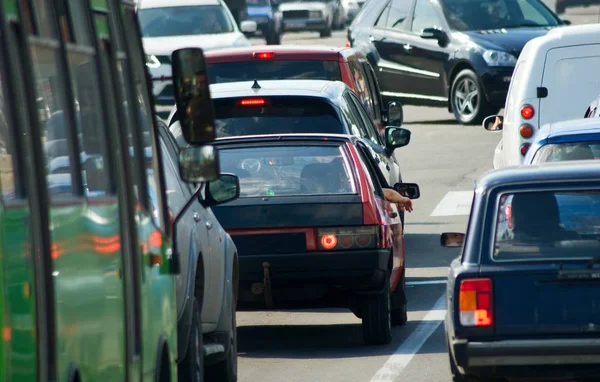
x: 455, y: 53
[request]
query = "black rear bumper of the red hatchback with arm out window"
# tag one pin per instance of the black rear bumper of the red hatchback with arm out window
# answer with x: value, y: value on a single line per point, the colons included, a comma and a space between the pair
x: 359, y: 270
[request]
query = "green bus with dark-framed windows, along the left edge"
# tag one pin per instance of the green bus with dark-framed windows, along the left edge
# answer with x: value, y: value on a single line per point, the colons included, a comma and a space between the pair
x: 87, y: 287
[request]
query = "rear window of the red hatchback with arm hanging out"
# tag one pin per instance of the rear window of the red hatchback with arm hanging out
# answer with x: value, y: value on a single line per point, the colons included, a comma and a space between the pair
x: 289, y: 170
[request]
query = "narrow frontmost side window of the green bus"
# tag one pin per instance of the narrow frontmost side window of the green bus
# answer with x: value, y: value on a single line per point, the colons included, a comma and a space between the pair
x: 142, y: 108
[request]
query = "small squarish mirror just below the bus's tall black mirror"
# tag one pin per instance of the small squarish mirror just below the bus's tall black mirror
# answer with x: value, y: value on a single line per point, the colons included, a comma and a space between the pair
x: 198, y: 164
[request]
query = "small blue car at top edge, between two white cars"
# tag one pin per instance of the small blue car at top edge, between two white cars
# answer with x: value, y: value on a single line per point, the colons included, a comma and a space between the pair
x: 268, y: 18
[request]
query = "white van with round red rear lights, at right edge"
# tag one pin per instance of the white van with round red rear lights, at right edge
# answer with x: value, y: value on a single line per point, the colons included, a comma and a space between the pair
x: 554, y: 80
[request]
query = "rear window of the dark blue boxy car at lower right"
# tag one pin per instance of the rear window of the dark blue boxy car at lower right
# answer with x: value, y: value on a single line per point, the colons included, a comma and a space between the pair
x: 548, y: 225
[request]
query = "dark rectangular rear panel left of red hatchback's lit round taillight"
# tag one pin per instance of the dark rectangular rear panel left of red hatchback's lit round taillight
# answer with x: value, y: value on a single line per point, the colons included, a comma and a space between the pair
x: 270, y: 244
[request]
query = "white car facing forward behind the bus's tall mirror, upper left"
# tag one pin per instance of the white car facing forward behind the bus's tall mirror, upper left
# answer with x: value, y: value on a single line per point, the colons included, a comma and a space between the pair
x: 168, y: 25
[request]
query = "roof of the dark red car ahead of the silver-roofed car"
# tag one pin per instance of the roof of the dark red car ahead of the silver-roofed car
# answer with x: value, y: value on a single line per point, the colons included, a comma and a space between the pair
x: 283, y: 52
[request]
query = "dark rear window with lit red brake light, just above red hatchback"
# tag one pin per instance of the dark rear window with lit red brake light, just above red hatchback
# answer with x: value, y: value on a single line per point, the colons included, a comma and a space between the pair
x: 276, y: 115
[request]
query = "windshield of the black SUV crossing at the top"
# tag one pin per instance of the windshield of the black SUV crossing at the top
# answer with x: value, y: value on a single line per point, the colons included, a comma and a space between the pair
x: 467, y: 15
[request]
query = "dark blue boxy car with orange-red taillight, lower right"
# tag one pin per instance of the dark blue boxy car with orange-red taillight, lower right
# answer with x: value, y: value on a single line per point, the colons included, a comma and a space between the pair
x: 523, y: 297
